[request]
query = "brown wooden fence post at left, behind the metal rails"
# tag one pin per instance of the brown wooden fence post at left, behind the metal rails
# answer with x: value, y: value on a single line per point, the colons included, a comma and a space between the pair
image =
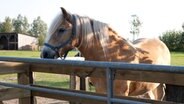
x: 26, y: 79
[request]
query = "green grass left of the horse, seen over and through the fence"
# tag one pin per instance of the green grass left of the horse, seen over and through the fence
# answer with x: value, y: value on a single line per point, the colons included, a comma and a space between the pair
x: 46, y: 79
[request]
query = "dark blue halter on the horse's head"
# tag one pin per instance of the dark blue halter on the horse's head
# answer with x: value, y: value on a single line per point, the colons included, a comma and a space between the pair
x: 56, y: 48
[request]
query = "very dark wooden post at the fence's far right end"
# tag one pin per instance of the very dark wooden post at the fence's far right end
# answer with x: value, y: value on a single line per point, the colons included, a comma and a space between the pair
x: 175, y: 93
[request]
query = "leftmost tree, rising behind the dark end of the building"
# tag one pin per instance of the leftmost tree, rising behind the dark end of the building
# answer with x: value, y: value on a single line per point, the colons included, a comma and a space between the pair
x: 7, y: 26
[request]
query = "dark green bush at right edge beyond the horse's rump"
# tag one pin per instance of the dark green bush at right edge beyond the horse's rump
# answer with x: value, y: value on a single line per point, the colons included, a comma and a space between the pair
x: 174, y: 40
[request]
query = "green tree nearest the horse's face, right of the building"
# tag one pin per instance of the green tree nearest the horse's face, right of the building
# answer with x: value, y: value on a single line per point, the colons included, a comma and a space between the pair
x: 39, y: 29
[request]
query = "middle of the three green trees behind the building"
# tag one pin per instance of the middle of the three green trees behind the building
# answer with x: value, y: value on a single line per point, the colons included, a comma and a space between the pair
x: 21, y: 24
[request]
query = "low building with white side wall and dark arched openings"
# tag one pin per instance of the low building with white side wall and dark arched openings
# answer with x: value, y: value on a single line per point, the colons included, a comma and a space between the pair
x: 14, y: 41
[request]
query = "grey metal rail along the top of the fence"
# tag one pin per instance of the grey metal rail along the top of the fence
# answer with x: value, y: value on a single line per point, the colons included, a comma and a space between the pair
x: 101, y: 64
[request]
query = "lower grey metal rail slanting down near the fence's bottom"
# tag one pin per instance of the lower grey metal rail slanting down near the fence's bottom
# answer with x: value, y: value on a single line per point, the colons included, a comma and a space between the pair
x: 59, y: 92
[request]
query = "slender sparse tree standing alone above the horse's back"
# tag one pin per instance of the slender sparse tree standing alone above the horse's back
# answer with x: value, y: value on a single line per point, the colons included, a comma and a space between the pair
x: 135, y: 25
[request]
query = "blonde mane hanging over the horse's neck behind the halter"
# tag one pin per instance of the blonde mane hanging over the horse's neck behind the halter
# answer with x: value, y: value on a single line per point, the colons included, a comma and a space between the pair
x: 90, y: 29
